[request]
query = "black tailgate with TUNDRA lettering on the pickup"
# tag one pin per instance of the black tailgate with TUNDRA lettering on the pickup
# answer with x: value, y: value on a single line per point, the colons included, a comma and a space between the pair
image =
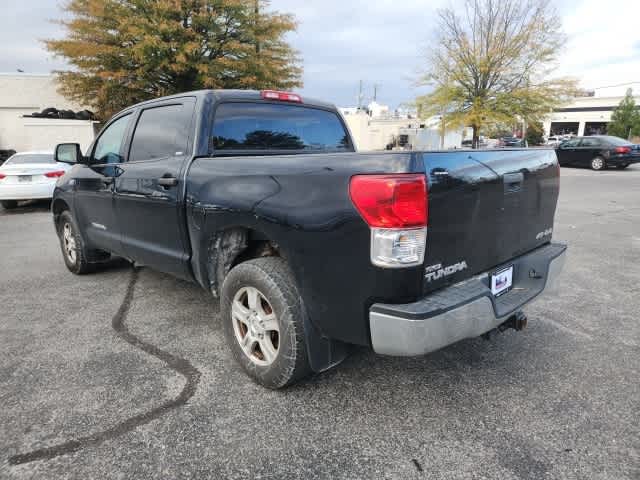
x: 485, y: 208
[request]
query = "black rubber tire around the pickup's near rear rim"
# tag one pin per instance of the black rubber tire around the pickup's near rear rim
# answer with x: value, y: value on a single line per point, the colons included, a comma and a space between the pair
x: 274, y: 281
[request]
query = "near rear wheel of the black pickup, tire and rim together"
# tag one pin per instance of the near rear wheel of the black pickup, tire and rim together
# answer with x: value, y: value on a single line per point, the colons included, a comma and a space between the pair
x: 262, y: 317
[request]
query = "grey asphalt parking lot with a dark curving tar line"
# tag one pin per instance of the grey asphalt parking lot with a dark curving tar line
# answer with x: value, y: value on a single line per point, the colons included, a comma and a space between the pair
x: 124, y: 374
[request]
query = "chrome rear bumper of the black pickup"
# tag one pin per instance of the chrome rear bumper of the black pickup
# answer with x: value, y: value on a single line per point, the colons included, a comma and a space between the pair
x: 464, y: 310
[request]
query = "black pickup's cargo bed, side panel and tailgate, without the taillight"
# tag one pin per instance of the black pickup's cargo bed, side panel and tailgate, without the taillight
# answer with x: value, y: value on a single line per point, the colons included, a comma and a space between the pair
x: 484, y: 207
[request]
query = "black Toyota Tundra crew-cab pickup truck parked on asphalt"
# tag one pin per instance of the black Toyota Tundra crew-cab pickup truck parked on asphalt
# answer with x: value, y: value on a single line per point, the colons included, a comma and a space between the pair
x: 261, y: 199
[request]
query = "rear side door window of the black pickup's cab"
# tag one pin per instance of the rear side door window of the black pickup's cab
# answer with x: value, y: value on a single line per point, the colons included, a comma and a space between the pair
x: 161, y: 132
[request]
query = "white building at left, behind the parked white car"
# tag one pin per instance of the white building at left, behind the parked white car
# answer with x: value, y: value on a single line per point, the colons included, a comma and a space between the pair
x: 22, y: 94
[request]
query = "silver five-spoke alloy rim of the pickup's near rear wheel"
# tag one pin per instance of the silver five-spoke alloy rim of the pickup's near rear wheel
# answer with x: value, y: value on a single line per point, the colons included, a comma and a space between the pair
x: 255, y: 326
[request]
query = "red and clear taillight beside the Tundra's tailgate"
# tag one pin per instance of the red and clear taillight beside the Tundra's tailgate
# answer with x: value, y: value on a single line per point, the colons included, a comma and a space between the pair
x: 396, y: 209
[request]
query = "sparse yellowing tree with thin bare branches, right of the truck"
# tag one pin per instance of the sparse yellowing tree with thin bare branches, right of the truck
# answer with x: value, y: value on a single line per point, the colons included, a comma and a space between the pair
x: 490, y: 63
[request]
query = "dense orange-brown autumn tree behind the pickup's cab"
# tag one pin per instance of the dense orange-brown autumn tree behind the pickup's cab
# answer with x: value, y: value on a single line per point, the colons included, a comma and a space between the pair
x: 126, y: 51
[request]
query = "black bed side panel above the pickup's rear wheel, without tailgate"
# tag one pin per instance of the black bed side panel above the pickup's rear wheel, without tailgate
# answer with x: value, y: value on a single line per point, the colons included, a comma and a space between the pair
x: 302, y: 203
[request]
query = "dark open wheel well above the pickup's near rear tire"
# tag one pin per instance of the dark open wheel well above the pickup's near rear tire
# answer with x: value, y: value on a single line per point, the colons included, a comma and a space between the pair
x: 231, y: 247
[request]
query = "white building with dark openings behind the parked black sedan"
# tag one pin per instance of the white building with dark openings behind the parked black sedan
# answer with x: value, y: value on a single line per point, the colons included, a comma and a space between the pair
x: 583, y: 116
